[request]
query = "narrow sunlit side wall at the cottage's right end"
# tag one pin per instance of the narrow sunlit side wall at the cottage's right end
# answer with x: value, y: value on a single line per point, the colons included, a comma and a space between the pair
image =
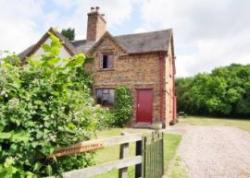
x: 169, y: 83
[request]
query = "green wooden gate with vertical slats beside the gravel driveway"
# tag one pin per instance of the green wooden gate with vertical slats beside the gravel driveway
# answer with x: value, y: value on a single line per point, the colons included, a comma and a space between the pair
x: 153, y: 158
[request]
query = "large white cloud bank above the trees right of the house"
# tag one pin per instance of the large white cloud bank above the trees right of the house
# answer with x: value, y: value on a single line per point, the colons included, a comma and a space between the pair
x: 208, y: 33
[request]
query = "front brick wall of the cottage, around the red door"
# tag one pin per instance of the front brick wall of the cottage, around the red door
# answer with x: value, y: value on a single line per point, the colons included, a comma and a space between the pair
x: 133, y: 71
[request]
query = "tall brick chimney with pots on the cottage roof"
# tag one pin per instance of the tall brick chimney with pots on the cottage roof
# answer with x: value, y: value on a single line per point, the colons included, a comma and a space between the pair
x: 96, y: 26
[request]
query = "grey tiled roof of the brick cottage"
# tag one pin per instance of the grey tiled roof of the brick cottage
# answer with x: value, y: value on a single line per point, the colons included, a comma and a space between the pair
x: 133, y: 43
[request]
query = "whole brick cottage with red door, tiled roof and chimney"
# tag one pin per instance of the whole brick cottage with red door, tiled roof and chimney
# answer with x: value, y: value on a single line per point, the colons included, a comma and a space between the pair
x: 144, y: 62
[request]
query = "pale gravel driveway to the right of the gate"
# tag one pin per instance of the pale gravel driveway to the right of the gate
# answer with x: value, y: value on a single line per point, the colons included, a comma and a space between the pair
x: 215, y: 151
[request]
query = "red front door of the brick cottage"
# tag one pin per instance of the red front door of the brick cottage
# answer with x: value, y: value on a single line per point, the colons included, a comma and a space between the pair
x: 144, y: 106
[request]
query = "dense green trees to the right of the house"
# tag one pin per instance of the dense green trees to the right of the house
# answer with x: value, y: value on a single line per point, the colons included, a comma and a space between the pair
x: 223, y: 92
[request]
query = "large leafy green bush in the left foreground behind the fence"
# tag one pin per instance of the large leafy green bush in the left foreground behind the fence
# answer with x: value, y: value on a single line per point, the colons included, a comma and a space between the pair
x: 44, y: 105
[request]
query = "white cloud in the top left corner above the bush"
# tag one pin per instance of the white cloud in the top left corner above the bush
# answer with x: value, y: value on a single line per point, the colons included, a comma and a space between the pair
x: 17, y: 23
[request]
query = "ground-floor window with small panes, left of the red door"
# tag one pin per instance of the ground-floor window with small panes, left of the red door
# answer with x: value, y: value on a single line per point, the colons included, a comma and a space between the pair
x: 105, y: 97
